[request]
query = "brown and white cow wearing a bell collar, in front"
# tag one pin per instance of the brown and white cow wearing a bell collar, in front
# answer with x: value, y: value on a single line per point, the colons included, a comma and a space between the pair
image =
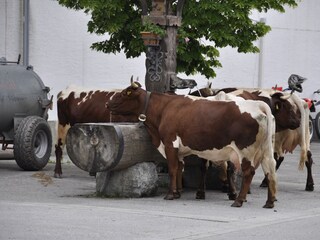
x: 237, y: 130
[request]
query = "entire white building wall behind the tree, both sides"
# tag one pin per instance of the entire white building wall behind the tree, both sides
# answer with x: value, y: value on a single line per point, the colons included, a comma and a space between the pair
x: 60, y: 50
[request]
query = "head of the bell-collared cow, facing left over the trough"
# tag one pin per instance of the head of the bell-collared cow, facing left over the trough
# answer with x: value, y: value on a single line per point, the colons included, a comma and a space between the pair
x: 130, y: 101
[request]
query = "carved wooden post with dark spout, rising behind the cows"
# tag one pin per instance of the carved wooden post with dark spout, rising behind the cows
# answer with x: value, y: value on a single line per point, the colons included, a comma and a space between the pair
x: 161, y: 61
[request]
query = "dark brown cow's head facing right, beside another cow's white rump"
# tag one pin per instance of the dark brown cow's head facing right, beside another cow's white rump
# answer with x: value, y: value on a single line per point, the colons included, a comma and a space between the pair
x: 285, y: 113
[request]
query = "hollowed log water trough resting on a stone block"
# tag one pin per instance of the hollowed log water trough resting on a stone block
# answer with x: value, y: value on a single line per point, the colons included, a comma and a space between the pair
x: 98, y: 147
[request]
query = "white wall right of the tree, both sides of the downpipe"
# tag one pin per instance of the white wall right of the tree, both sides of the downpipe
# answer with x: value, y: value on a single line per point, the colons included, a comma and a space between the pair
x: 292, y: 46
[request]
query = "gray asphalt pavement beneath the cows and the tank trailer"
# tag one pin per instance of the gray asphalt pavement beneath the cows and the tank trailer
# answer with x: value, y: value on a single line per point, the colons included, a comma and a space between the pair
x: 34, y: 205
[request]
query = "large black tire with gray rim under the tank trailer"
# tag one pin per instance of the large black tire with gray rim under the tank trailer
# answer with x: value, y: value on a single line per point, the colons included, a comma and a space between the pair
x: 32, y: 143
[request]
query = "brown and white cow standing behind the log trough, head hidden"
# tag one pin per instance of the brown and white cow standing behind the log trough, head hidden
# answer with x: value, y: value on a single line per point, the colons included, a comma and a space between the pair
x: 76, y: 105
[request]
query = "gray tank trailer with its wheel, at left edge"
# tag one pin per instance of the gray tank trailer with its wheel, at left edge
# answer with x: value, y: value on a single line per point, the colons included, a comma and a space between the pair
x: 24, y: 105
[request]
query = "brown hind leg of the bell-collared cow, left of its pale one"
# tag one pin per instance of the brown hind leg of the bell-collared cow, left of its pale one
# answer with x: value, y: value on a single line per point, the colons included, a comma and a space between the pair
x: 248, y: 172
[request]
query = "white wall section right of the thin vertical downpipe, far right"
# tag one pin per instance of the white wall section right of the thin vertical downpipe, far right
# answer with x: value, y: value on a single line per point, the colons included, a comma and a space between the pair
x: 293, y: 46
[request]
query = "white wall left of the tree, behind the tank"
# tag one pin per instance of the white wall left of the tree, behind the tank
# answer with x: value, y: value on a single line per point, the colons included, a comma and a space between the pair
x: 60, y: 48
